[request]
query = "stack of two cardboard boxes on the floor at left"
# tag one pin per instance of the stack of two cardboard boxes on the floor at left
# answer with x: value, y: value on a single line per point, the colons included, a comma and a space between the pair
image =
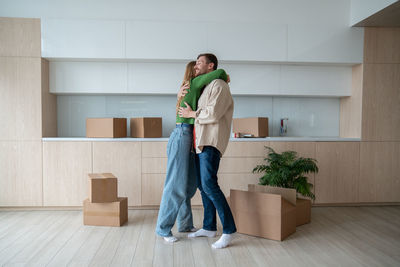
x: 104, y: 207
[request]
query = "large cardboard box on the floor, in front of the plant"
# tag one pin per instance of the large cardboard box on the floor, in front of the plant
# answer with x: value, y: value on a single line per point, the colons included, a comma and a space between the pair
x: 263, y: 214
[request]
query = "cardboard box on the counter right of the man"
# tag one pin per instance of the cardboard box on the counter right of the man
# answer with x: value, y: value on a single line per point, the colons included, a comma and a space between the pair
x: 257, y: 126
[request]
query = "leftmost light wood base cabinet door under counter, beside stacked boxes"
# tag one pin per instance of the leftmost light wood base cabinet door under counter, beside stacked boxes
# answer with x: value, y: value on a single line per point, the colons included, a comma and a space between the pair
x: 65, y: 172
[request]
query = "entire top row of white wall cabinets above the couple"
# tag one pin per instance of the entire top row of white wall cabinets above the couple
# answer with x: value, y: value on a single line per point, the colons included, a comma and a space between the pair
x: 184, y: 40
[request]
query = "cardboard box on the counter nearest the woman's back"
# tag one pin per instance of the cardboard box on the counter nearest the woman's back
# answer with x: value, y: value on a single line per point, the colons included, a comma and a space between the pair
x: 146, y: 127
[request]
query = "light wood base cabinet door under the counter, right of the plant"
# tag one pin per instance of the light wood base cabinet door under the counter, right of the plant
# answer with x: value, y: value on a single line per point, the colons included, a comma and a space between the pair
x: 337, y: 180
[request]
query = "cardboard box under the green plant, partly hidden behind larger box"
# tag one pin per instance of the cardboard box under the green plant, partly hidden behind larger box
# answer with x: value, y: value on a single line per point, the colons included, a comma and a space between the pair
x: 303, y: 206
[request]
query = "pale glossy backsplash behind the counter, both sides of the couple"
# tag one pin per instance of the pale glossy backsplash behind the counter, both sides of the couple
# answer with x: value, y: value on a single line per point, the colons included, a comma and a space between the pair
x: 307, y: 116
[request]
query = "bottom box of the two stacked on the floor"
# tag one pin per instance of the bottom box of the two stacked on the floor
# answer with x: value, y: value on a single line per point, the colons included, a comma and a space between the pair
x: 105, y: 214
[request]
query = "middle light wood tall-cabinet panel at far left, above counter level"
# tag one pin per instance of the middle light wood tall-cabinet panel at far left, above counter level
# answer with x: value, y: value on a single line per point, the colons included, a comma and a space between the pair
x: 20, y: 103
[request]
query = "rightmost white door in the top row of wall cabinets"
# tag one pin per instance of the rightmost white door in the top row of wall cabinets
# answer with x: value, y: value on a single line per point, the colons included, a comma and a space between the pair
x: 323, y: 43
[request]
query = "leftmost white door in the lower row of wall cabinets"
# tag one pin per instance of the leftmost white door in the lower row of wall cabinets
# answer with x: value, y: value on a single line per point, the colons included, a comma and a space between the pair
x: 88, y: 77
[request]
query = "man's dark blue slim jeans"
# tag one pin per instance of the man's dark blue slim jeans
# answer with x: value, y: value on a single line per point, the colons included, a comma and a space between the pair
x: 213, y: 198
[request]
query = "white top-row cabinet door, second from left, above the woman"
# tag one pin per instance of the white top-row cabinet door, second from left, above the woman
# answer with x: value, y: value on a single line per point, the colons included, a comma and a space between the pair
x: 165, y: 40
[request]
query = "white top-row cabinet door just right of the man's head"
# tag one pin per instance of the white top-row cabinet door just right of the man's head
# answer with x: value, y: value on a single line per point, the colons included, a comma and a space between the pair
x: 248, y: 41
